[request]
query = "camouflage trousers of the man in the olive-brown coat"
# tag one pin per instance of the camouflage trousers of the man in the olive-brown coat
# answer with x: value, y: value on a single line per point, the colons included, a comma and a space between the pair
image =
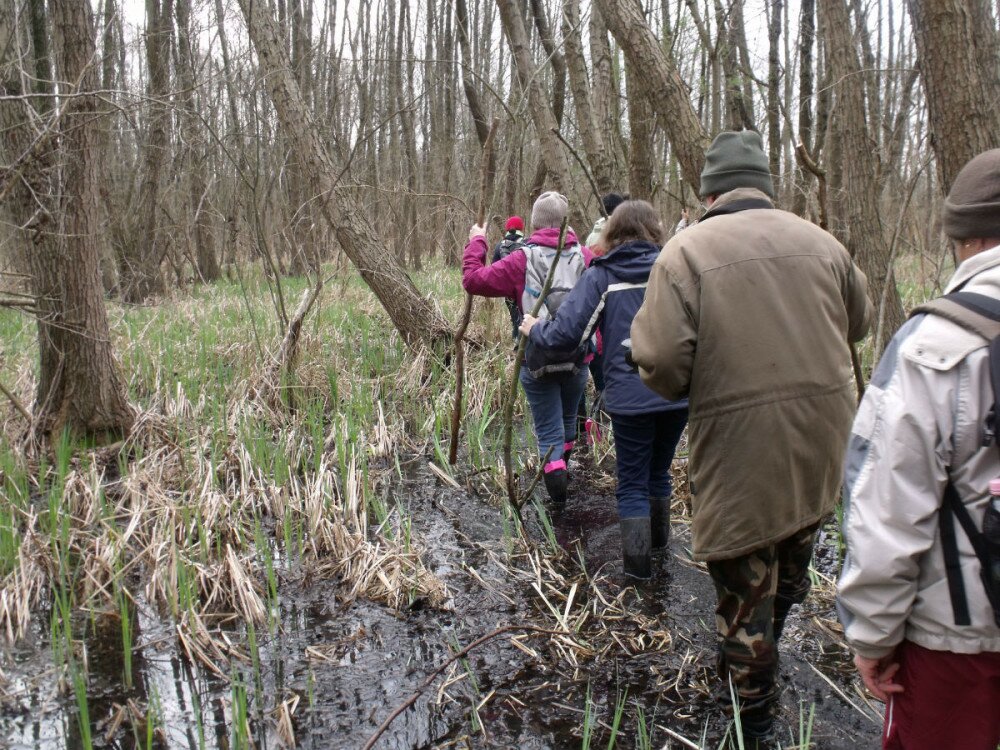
x: 755, y: 592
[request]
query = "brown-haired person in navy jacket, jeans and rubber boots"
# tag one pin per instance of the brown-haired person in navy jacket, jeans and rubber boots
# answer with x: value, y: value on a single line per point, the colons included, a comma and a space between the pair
x: 646, y: 426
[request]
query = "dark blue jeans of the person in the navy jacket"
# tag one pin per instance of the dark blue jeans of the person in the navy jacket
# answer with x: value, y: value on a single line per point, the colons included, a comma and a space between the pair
x: 644, y: 449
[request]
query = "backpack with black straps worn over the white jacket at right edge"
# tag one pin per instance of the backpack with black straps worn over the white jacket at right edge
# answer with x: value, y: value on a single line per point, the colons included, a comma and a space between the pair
x: 979, y: 314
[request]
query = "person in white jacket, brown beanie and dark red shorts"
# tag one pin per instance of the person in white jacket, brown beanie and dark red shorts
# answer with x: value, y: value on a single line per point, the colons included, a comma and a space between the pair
x: 921, y: 425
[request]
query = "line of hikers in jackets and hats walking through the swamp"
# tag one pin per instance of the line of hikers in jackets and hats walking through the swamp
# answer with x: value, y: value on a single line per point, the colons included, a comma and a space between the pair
x: 739, y: 326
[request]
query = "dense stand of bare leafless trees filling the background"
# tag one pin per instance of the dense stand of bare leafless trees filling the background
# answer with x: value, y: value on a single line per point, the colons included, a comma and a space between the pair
x: 186, y: 139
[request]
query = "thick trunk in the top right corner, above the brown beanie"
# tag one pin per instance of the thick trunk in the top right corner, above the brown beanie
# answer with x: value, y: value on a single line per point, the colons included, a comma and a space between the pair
x: 962, y: 93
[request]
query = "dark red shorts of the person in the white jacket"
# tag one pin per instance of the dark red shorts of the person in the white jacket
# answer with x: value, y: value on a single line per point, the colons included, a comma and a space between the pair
x: 950, y: 701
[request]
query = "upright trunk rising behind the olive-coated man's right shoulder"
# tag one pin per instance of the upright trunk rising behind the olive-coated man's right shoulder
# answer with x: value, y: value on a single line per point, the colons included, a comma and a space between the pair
x: 862, y: 232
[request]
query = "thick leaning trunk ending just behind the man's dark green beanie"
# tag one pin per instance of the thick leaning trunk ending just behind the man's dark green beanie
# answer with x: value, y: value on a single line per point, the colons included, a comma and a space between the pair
x: 661, y: 84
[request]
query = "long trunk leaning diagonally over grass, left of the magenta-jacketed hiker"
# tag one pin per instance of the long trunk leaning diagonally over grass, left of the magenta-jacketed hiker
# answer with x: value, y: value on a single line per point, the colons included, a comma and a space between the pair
x: 411, y: 313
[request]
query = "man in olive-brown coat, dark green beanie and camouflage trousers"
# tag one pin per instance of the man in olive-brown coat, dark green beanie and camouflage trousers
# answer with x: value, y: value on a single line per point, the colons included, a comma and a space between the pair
x: 748, y: 314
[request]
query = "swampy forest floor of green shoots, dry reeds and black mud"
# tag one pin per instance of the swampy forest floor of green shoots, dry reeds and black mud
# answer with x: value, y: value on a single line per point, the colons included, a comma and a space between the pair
x: 233, y: 576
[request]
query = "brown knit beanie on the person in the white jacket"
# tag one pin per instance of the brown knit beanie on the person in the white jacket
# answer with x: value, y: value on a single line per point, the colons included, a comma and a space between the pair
x: 972, y: 208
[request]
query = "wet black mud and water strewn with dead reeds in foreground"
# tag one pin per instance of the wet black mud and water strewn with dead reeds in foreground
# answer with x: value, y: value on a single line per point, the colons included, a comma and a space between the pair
x: 332, y: 669
